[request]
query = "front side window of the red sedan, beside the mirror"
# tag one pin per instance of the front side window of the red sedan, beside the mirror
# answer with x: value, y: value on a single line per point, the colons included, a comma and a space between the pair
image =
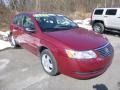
x: 28, y: 23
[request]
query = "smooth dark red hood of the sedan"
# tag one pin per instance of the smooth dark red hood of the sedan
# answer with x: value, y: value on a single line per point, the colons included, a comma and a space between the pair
x: 79, y: 39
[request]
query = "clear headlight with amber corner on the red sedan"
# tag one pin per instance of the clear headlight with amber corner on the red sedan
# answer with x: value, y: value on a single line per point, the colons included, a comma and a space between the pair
x: 81, y: 54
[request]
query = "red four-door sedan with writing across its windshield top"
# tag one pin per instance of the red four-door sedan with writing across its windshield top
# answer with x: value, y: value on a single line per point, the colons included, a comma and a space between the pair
x: 62, y: 46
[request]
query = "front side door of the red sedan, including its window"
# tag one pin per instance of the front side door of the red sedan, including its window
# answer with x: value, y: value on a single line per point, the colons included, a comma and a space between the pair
x: 29, y: 34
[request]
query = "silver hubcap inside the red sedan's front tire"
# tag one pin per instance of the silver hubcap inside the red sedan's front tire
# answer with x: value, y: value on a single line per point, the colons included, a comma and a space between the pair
x: 47, y: 63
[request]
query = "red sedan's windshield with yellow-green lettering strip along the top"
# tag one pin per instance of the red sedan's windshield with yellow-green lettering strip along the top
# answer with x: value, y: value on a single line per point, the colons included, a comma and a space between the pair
x: 52, y: 22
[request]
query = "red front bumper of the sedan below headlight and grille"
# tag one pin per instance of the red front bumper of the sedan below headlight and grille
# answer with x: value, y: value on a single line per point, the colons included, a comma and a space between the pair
x: 84, y: 69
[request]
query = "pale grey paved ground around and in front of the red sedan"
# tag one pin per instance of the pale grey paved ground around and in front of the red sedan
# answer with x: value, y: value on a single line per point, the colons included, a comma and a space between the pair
x: 21, y: 70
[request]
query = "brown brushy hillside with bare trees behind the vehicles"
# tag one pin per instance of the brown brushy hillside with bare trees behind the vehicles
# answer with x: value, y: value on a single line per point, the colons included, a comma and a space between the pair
x: 75, y: 9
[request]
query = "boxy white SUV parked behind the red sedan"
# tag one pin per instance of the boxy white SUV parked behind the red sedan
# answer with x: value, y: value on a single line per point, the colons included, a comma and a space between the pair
x: 105, y: 19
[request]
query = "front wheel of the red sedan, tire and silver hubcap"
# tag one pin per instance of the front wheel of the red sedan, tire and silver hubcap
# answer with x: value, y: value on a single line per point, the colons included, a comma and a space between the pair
x: 49, y: 63
